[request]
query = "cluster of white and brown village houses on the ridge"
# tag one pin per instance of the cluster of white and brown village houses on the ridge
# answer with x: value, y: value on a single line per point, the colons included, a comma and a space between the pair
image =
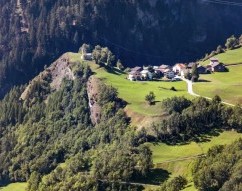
x: 170, y: 72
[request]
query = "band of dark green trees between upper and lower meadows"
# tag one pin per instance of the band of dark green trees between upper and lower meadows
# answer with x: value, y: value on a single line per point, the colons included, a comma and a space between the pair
x: 187, y: 120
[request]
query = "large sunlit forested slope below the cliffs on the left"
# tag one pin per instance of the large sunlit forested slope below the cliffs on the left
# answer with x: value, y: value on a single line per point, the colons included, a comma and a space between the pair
x: 47, y: 137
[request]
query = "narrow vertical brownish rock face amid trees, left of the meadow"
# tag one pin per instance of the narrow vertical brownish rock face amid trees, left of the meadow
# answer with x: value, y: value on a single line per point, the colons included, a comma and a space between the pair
x: 92, y: 91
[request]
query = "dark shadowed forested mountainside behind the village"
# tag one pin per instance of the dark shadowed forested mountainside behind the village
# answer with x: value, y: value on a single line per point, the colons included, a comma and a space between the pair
x: 34, y: 32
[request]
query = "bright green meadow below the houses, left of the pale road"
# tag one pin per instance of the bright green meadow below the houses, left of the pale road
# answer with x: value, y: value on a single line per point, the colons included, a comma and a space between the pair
x: 134, y: 92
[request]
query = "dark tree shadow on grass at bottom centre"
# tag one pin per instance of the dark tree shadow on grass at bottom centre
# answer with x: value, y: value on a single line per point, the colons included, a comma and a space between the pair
x: 155, y: 177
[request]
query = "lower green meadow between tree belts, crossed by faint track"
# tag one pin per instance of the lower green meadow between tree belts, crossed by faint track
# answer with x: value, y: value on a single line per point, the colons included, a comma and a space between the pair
x: 163, y: 154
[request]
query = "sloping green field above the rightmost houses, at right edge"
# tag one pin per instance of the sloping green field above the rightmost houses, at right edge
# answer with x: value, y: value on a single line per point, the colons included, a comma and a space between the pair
x: 229, y: 57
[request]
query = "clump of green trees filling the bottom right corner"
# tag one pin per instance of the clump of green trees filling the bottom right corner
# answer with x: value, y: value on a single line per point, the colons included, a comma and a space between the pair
x: 221, y: 169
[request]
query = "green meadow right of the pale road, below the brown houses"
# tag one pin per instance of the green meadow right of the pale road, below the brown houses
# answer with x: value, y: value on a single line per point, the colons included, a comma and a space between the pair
x: 227, y: 85
